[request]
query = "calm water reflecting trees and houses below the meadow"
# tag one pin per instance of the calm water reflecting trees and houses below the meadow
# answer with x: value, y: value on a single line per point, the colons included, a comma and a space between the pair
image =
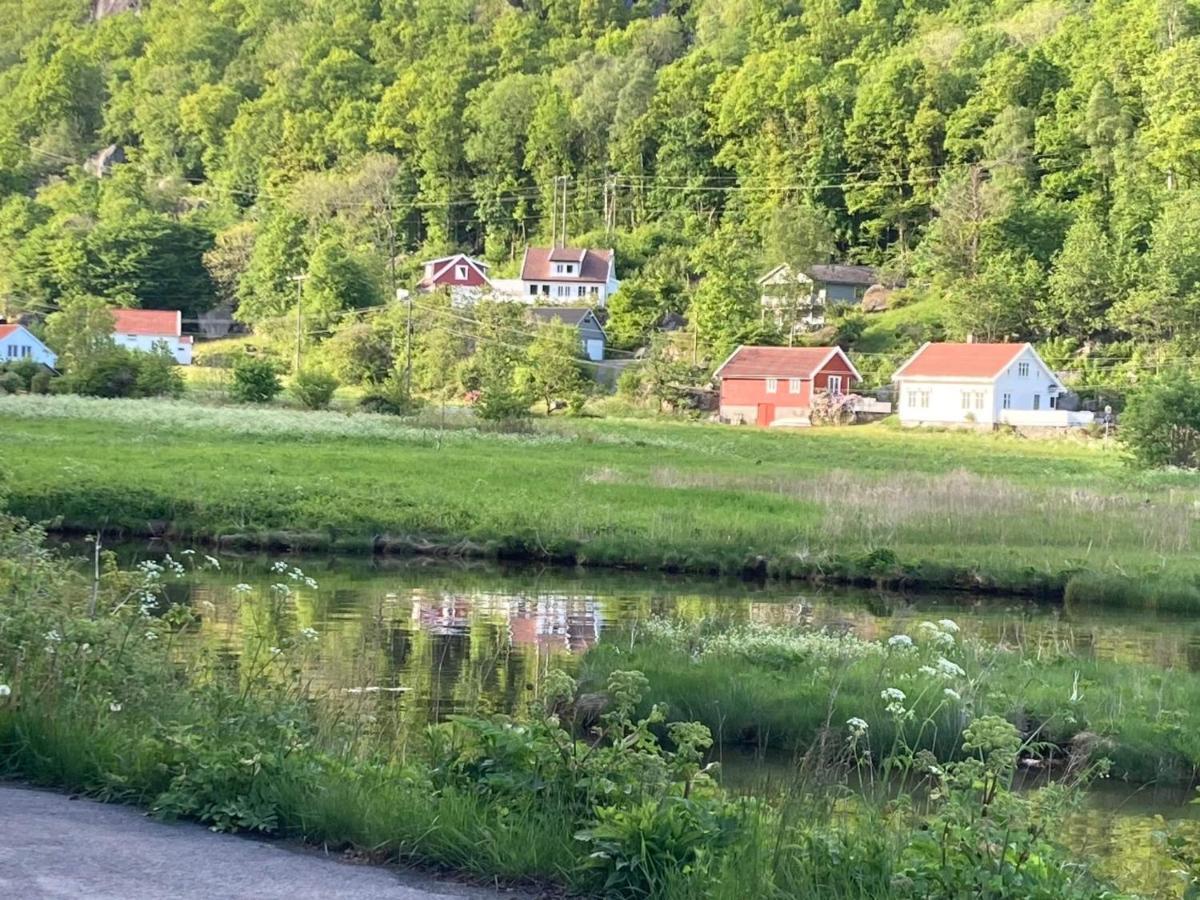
x: 430, y: 640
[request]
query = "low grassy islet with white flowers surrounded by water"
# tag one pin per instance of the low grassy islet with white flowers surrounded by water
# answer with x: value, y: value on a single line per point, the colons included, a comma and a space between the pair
x: 775, y: 688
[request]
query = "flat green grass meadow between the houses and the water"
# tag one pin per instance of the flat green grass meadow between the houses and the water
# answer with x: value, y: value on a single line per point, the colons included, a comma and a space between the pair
x: 868, y: 505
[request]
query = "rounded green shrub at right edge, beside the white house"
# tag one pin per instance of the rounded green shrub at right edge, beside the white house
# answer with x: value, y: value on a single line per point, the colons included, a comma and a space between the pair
x: 1161, y: 427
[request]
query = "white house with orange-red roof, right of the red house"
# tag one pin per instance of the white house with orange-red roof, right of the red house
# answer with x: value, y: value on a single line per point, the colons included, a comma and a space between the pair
x: 982, y: 385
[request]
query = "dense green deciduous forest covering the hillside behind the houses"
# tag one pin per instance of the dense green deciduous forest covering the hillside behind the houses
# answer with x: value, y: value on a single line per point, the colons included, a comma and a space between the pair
x: 1031, y: 170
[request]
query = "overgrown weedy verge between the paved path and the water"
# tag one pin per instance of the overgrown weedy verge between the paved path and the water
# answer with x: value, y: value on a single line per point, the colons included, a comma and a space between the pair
x: 104, y: 693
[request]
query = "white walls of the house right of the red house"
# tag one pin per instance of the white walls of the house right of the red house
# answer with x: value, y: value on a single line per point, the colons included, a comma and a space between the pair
x: 1025, y: 386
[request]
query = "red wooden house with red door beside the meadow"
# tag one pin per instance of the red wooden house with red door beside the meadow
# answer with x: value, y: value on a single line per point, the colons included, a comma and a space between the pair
x: 770, y: 386
